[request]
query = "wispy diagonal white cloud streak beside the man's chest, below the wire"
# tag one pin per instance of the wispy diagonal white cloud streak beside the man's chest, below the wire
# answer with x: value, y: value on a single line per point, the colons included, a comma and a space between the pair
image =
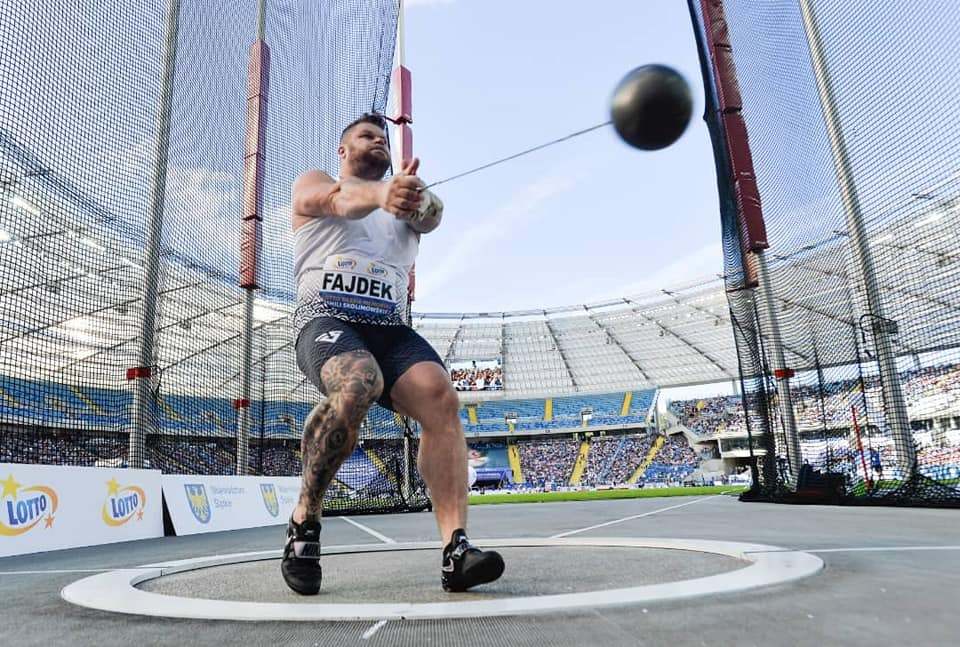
x: 523, y: 206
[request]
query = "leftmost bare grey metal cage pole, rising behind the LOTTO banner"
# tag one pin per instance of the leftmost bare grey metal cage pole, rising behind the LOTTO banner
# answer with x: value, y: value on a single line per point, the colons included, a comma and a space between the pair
x: 144, y: 423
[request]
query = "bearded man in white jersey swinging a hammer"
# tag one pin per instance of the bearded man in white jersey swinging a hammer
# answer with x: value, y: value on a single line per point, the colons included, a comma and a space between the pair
x: 356, y: 239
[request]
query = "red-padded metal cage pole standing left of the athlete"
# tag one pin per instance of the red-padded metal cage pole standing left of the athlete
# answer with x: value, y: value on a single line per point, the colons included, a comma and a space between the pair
x: 251, y: 222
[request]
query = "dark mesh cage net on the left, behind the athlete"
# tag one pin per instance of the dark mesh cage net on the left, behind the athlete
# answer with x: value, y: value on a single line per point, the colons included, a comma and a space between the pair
x: 85, y: 167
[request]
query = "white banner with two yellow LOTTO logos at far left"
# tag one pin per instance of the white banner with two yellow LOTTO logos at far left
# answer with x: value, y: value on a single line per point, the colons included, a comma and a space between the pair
x: 47, y: 507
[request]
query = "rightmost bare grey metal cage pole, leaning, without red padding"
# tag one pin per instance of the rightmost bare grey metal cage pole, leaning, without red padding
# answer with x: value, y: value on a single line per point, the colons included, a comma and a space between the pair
x: 894, y: 403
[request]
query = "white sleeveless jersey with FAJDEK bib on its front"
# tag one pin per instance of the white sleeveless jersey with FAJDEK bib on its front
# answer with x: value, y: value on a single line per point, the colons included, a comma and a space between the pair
x: 355, y: 270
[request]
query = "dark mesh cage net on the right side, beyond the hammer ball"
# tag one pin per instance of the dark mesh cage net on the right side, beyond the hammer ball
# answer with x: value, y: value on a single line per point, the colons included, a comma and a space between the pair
x: 847, y: 326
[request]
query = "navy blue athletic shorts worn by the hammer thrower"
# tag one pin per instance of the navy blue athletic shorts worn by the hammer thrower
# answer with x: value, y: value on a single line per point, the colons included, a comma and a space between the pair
x: 396, y: 348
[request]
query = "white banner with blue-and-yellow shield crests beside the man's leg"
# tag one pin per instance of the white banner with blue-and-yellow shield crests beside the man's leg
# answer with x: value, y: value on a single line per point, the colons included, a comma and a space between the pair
x: 210, y: 503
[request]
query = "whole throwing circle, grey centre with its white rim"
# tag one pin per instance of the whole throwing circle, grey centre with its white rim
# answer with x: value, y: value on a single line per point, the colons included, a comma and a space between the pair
x: 397, y: 581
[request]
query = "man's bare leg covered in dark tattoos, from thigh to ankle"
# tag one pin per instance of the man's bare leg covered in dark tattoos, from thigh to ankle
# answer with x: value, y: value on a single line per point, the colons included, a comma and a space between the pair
x: 353, y: 382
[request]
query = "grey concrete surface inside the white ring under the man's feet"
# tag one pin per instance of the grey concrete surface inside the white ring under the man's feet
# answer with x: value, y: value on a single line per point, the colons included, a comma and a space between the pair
x: 414, y: 575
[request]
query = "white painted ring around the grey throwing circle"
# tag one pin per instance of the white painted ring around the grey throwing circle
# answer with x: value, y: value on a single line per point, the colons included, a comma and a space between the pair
x: 116, y: 591
